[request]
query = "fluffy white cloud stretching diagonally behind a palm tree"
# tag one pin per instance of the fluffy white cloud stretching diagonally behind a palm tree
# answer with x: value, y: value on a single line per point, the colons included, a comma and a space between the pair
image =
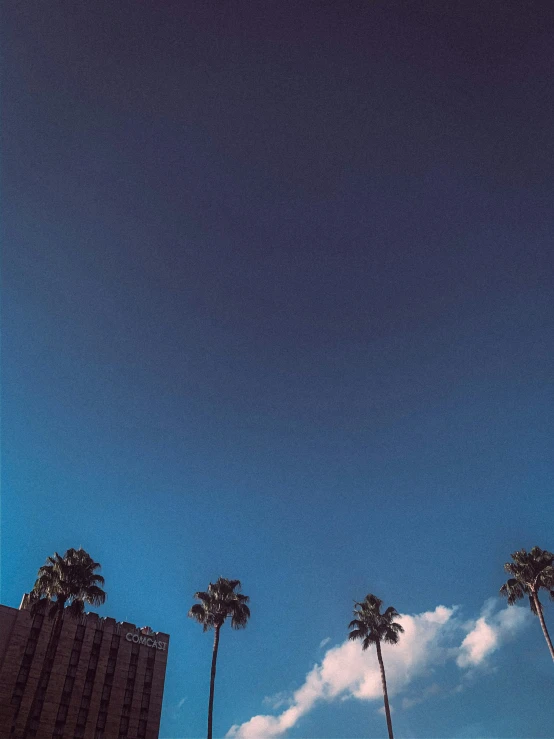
x: 347, y: 672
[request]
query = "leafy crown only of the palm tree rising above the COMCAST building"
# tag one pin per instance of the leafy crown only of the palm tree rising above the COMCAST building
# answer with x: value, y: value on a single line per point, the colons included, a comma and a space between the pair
x: 68, y: 583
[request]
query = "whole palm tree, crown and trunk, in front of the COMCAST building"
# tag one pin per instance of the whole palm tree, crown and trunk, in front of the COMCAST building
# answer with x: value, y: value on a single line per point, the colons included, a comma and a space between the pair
x: 64, y: 585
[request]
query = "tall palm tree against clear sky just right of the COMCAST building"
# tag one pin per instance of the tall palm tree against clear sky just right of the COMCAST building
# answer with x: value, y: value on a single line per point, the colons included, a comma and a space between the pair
x: 220, y: 602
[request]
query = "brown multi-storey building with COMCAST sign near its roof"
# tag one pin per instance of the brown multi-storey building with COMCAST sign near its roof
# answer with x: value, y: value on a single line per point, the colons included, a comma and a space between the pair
x: 105, y: 680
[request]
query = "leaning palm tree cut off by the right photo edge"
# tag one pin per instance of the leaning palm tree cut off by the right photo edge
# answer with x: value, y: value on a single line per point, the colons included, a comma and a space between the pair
x: 530, y: 572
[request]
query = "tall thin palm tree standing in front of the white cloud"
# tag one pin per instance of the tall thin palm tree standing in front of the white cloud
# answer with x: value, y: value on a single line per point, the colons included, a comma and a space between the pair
x: 373, y: 627
